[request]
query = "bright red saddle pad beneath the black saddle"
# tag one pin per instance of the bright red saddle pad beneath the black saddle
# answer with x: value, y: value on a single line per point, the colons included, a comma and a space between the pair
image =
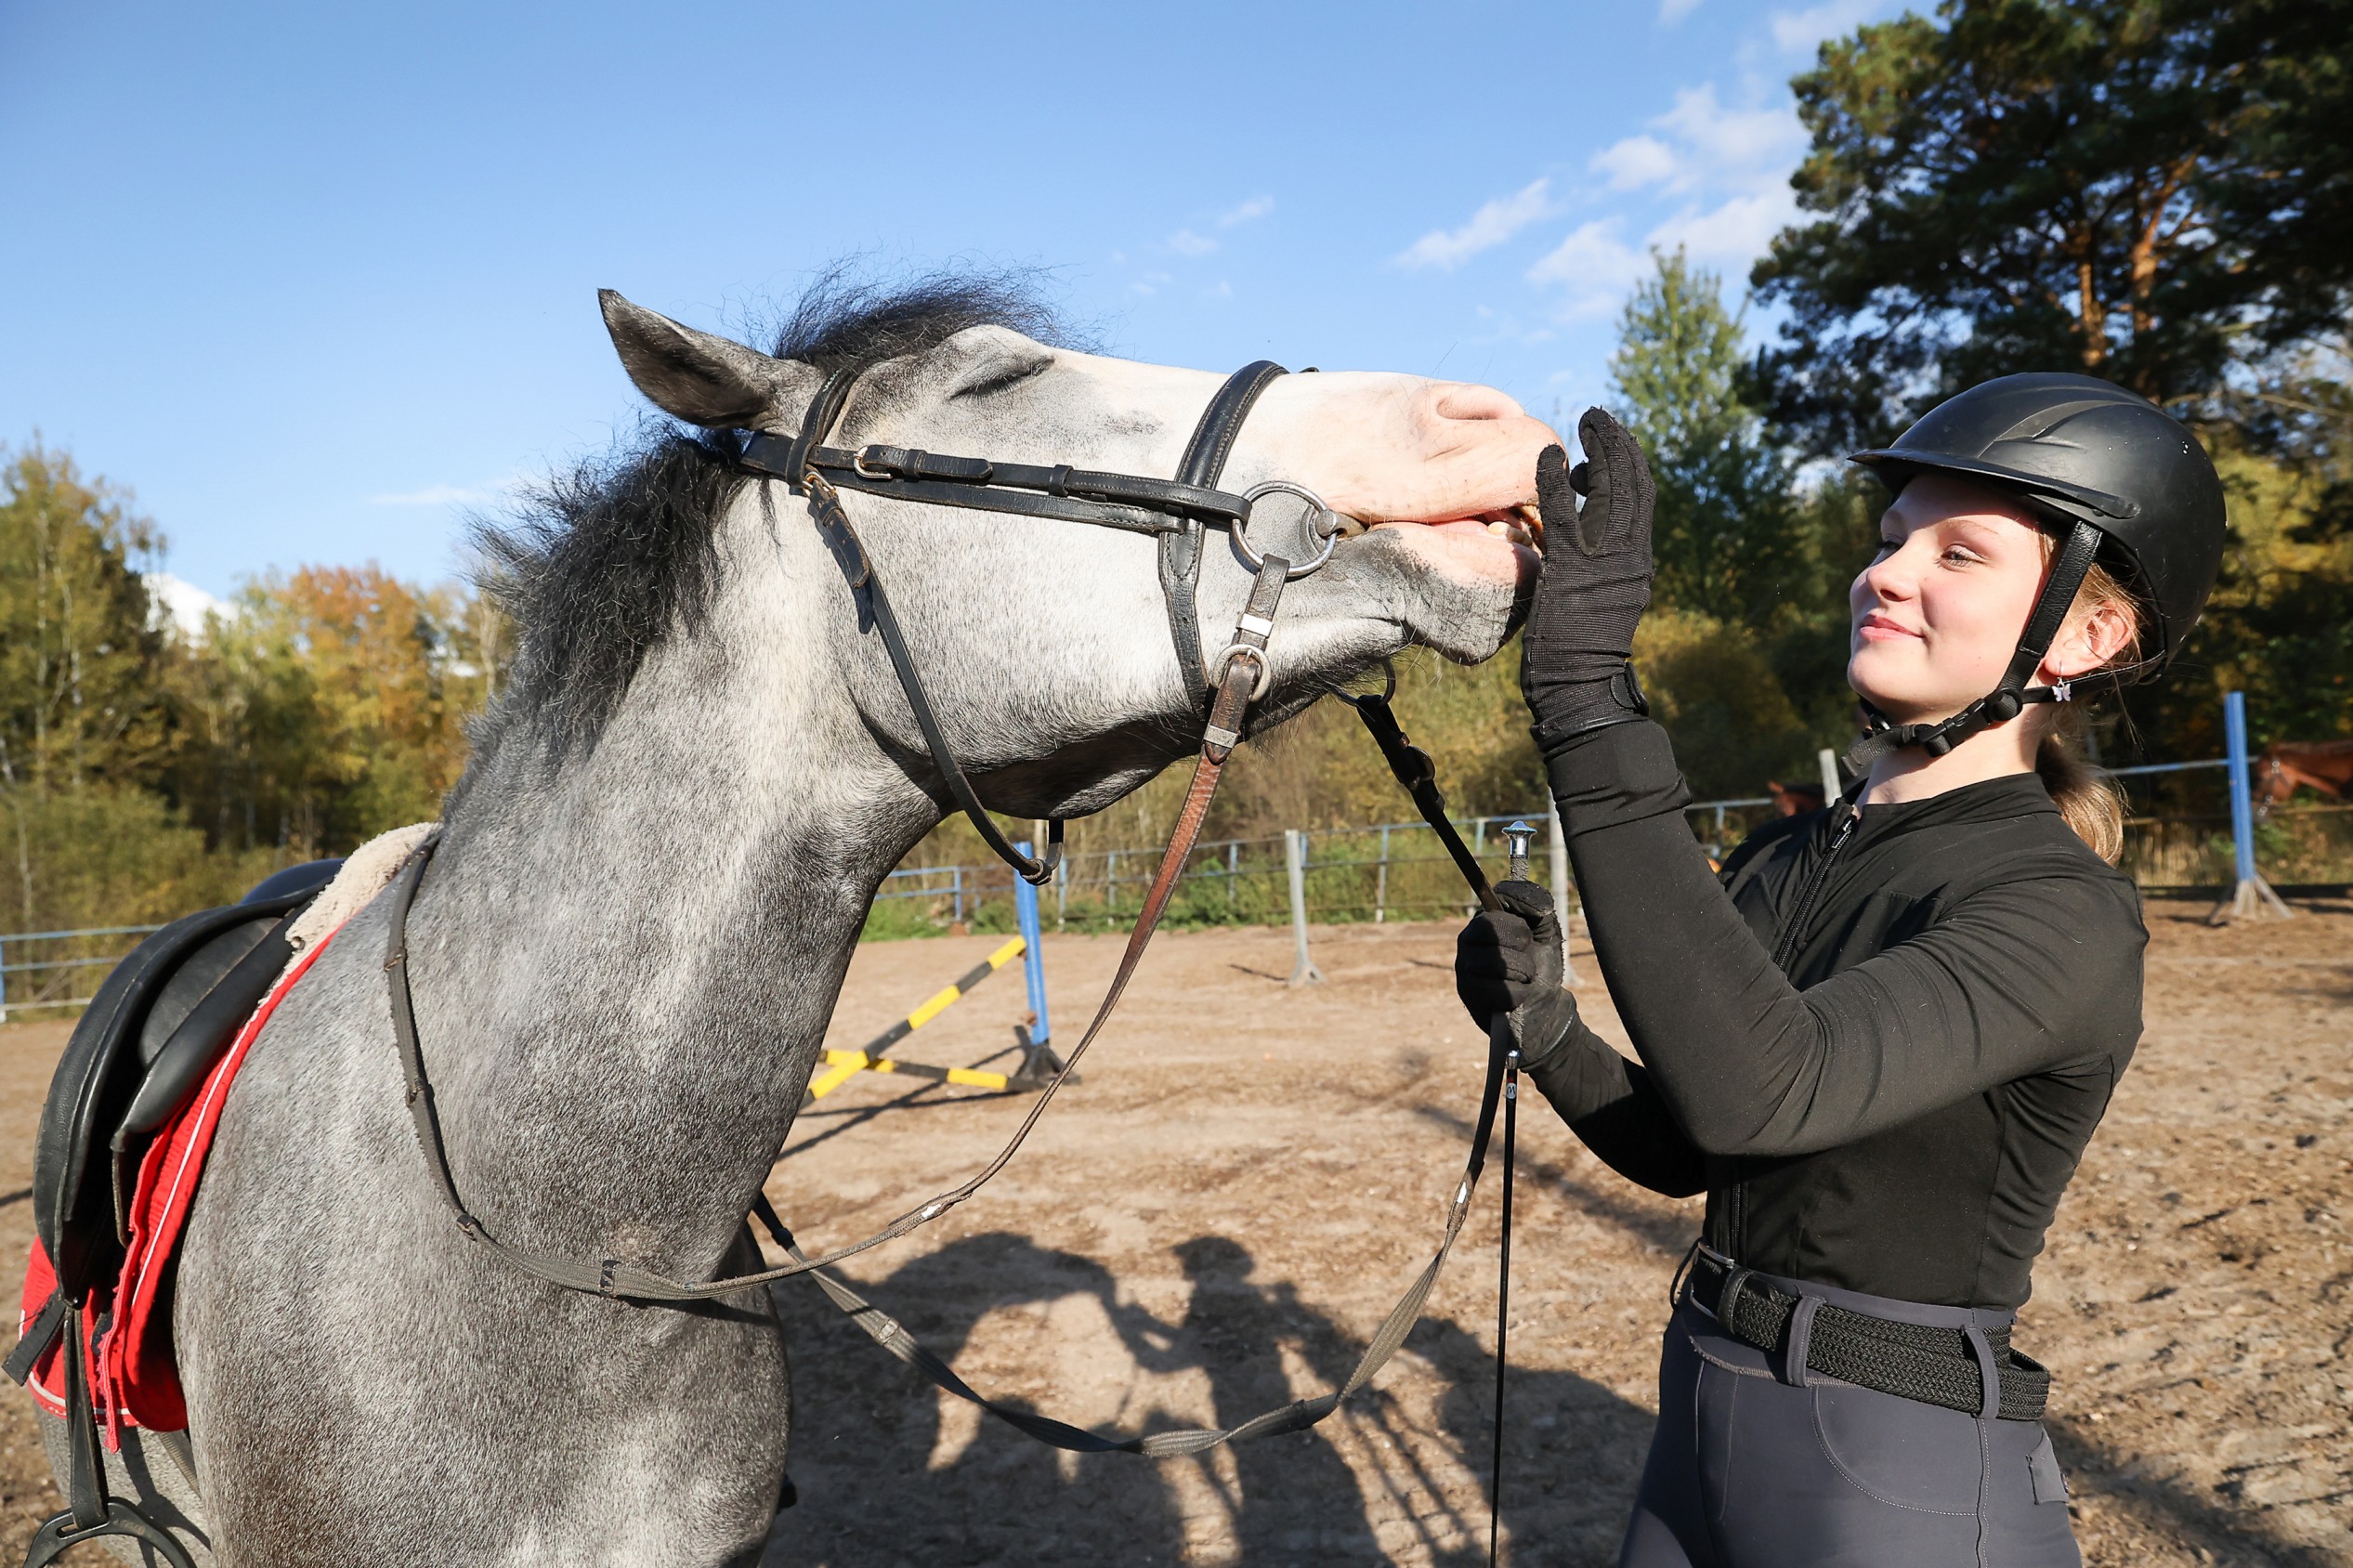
x: 133, y: 1376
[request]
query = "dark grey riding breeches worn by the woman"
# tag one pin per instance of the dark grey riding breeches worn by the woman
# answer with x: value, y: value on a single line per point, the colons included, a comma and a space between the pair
x: 1757, y: 1468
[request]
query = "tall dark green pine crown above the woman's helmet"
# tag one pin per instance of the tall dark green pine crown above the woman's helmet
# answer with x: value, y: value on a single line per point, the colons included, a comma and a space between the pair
x: 2051, y: 185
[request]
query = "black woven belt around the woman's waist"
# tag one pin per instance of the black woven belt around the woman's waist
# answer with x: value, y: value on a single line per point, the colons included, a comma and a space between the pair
x: 1905, y: 1360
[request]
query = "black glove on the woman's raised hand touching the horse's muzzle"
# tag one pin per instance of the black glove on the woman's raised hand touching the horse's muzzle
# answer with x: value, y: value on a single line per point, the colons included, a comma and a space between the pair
x: 1594, y: 587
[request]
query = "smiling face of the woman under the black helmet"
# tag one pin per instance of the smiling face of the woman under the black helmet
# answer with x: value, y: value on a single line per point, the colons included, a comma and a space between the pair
x: 1940, y: 609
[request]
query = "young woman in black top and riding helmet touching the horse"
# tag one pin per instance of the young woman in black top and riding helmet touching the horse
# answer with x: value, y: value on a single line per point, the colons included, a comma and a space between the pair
x: 1884, y: 1035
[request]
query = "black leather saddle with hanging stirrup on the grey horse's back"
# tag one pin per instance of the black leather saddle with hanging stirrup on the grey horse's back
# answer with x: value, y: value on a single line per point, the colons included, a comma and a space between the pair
x: 140, y: 1051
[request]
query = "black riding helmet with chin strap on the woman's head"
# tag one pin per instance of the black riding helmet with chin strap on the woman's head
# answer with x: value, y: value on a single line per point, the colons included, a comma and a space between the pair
x: 2124, y: 479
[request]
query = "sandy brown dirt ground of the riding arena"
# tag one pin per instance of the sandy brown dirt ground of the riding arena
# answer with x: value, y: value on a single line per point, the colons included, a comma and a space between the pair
x: 1248, y: 1176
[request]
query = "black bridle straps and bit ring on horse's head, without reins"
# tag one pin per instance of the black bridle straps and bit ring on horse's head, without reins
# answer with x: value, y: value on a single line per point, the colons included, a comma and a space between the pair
x: 1178, y: 512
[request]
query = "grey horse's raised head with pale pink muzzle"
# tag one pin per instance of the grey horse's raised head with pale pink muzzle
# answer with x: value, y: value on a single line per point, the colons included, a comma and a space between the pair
x: 1048, y: 644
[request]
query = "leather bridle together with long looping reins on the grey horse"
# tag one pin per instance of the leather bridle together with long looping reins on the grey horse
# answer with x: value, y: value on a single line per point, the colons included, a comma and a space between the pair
x: 1239, y: 675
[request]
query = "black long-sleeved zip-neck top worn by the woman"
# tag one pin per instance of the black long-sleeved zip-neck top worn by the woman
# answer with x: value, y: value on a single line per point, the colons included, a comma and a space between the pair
x: 1879, y: 1039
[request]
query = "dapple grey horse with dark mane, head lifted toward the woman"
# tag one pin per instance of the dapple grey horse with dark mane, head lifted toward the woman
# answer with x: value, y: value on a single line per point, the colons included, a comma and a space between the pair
x: 648, y: 893
